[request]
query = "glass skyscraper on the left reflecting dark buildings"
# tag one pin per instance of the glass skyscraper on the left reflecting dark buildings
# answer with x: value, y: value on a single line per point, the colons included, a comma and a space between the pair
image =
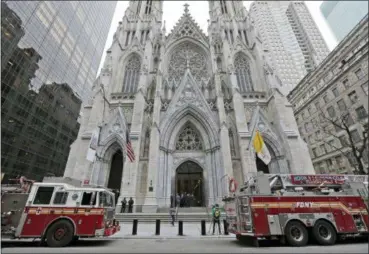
x: 50, y: 54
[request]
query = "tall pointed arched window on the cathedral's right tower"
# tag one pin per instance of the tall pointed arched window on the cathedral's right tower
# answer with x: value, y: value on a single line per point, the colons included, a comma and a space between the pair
x: 243, y: 74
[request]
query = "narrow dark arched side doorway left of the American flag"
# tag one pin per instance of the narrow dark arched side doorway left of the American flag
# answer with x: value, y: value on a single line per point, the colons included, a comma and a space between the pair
x: 116, y: 171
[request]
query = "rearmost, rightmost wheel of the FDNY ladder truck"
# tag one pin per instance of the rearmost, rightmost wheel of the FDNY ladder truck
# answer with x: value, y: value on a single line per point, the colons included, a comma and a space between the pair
x: 324, y: 233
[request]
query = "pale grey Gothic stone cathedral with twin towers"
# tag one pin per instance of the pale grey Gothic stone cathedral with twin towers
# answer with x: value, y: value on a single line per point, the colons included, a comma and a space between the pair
x: 191, y: 103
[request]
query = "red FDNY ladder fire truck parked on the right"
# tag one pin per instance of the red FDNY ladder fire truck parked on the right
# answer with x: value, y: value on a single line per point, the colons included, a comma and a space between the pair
x: 293, y: 208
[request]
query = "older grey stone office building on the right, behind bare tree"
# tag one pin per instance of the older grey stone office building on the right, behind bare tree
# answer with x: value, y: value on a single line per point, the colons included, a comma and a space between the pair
x: 332, y: 97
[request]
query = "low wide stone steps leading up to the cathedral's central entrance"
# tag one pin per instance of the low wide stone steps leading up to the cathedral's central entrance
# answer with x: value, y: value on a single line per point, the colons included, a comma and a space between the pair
x: 164, y: 217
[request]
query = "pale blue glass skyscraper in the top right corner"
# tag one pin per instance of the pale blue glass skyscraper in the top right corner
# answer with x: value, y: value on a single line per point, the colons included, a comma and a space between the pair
x: 343, y: 16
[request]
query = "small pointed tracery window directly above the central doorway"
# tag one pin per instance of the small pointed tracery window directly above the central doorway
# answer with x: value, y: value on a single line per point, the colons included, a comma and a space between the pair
x: 189, y: 140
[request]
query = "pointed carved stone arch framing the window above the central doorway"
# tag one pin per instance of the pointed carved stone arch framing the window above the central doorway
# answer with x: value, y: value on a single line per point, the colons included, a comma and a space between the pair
x: 203, y: 122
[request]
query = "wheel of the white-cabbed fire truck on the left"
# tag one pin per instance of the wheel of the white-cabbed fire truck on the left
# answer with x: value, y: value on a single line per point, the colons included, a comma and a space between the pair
x: 60, y: 234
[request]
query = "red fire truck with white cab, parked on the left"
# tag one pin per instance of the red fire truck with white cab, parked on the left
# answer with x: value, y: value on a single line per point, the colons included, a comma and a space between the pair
x: 56, y: 212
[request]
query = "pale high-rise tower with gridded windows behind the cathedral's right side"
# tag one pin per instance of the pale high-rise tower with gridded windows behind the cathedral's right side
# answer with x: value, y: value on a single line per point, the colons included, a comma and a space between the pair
x: 290, y: 37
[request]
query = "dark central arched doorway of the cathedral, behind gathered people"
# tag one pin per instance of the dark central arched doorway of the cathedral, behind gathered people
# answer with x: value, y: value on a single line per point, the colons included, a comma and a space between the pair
x: 189, y: 180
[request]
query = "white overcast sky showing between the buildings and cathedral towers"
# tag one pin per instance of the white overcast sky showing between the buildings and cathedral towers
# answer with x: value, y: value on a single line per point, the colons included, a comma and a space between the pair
x: 199, y: 10
